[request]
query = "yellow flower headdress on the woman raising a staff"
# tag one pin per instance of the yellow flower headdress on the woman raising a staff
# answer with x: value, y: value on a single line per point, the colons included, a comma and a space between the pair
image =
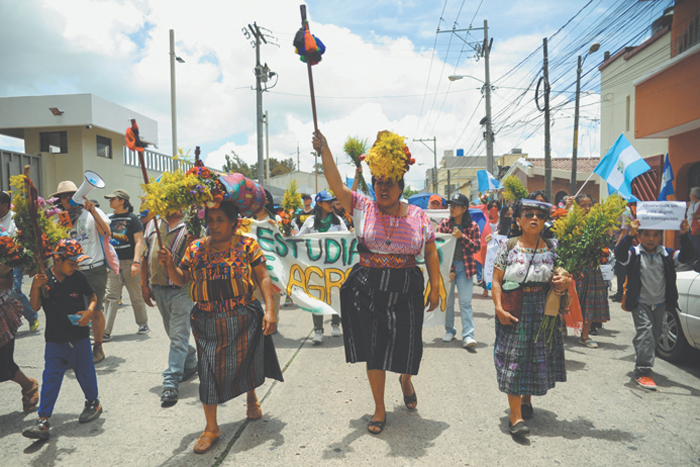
x: 389, y: 158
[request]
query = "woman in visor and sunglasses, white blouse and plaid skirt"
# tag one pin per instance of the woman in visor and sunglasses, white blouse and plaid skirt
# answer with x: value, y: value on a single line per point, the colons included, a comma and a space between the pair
x: 526, y: 368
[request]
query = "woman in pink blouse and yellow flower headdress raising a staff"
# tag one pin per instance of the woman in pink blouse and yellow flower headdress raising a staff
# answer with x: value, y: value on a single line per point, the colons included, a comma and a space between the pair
x: 382, y: 299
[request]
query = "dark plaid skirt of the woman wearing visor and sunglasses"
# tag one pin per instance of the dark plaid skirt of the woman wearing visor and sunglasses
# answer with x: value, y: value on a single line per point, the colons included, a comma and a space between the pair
x: 523, y: 366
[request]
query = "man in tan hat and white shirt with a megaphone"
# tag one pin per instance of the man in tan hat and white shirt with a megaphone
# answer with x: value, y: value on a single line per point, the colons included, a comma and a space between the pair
x: 88, y: 223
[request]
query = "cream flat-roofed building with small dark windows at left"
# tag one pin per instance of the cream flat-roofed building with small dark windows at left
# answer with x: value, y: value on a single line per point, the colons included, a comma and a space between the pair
x: 66, y: 135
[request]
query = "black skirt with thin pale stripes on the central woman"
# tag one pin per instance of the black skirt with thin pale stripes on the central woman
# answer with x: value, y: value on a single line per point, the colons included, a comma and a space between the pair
x: 382, y: 318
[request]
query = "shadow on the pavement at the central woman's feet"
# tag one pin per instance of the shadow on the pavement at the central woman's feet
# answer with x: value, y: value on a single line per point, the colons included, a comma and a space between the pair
x: 406, y: 433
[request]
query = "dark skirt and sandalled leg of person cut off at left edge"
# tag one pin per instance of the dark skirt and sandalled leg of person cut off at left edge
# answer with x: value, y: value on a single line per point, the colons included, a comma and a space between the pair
x: 10, y: 312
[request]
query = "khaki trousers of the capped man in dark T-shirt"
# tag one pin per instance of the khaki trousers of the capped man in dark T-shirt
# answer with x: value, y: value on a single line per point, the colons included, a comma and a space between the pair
x: 115, y: 285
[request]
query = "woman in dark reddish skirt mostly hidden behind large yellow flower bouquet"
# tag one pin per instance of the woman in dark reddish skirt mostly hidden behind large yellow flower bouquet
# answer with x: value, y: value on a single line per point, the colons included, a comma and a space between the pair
x: 592, y: 291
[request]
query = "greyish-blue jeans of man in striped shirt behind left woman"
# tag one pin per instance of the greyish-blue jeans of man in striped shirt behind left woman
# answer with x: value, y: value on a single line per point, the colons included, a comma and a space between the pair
x: 175, y: 306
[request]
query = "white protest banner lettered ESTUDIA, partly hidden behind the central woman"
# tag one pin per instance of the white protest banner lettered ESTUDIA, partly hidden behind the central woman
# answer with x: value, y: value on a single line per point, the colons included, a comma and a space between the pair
x: 312, y: 268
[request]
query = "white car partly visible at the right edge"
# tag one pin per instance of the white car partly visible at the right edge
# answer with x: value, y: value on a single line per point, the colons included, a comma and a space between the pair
x: 681, y: 330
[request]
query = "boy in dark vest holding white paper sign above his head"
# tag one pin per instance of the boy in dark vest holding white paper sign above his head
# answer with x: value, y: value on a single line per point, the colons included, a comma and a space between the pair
x: 651, y: 288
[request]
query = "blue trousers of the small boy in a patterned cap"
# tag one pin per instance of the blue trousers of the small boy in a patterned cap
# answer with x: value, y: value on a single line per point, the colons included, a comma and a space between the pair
x: 59, y: 357
